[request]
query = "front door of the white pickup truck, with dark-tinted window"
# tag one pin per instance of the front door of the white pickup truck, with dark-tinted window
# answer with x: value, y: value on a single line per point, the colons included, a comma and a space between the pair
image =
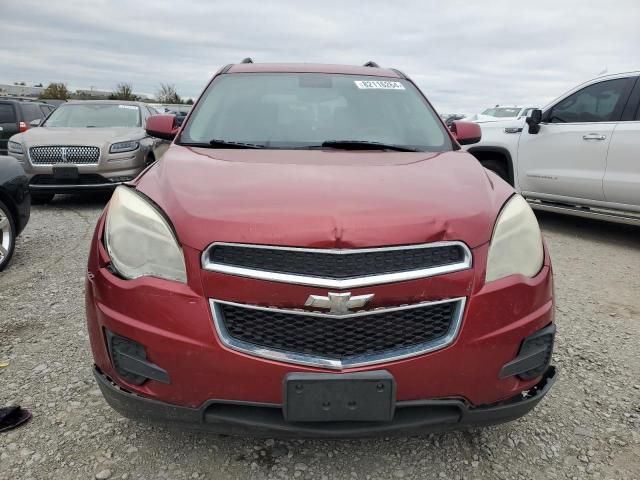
x: 568, y: 156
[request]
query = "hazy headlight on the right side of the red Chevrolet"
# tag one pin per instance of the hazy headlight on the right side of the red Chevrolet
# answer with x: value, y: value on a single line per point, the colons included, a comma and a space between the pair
x: 516, y: 245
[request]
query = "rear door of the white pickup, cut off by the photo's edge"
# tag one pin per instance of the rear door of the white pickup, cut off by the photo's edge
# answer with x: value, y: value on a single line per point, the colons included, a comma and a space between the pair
x: 622, y: 175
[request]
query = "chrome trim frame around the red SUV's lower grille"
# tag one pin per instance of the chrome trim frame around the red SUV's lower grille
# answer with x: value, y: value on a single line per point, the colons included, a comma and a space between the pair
x: 330, y: 363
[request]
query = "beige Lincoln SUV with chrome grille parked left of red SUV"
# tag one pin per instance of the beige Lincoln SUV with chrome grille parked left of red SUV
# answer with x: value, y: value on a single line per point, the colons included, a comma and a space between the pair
x: 85, y: 146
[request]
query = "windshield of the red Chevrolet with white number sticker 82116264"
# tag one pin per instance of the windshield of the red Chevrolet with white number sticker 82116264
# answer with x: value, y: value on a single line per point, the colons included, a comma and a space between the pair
x: 305, y: 110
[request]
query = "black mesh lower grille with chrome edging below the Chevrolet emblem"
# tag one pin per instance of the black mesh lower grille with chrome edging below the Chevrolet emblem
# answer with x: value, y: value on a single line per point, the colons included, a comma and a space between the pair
x: 348, y: 340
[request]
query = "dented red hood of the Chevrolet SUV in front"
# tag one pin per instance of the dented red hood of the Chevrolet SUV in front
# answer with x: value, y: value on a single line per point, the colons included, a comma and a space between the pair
x: 324, y: 199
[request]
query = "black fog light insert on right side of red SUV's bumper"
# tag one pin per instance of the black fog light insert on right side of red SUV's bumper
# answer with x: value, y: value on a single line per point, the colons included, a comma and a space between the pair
x: 533, y: 357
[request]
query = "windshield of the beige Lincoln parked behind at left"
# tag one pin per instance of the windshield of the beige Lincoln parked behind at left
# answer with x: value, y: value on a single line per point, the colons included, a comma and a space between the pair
x: 83, y: 115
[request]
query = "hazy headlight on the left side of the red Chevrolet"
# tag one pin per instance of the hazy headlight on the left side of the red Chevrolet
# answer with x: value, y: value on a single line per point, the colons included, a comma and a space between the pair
x: 140, y: 241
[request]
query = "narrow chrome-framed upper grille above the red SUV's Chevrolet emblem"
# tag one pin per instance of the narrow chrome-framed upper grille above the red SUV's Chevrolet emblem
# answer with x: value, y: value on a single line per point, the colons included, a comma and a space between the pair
x: 336, y: 265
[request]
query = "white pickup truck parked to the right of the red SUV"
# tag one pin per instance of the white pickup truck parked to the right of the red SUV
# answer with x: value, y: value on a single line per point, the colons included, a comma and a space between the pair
x: 579, y: 155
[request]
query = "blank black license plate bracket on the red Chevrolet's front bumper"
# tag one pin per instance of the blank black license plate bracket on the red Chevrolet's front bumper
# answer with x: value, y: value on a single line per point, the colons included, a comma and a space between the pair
x: 327, y: 397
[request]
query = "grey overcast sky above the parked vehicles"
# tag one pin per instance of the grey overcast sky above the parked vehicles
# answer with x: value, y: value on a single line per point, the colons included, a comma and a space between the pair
x: 464, y: 55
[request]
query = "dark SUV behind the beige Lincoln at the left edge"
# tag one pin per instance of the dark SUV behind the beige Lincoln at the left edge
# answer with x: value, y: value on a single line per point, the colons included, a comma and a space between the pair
x: 17, y: 115
